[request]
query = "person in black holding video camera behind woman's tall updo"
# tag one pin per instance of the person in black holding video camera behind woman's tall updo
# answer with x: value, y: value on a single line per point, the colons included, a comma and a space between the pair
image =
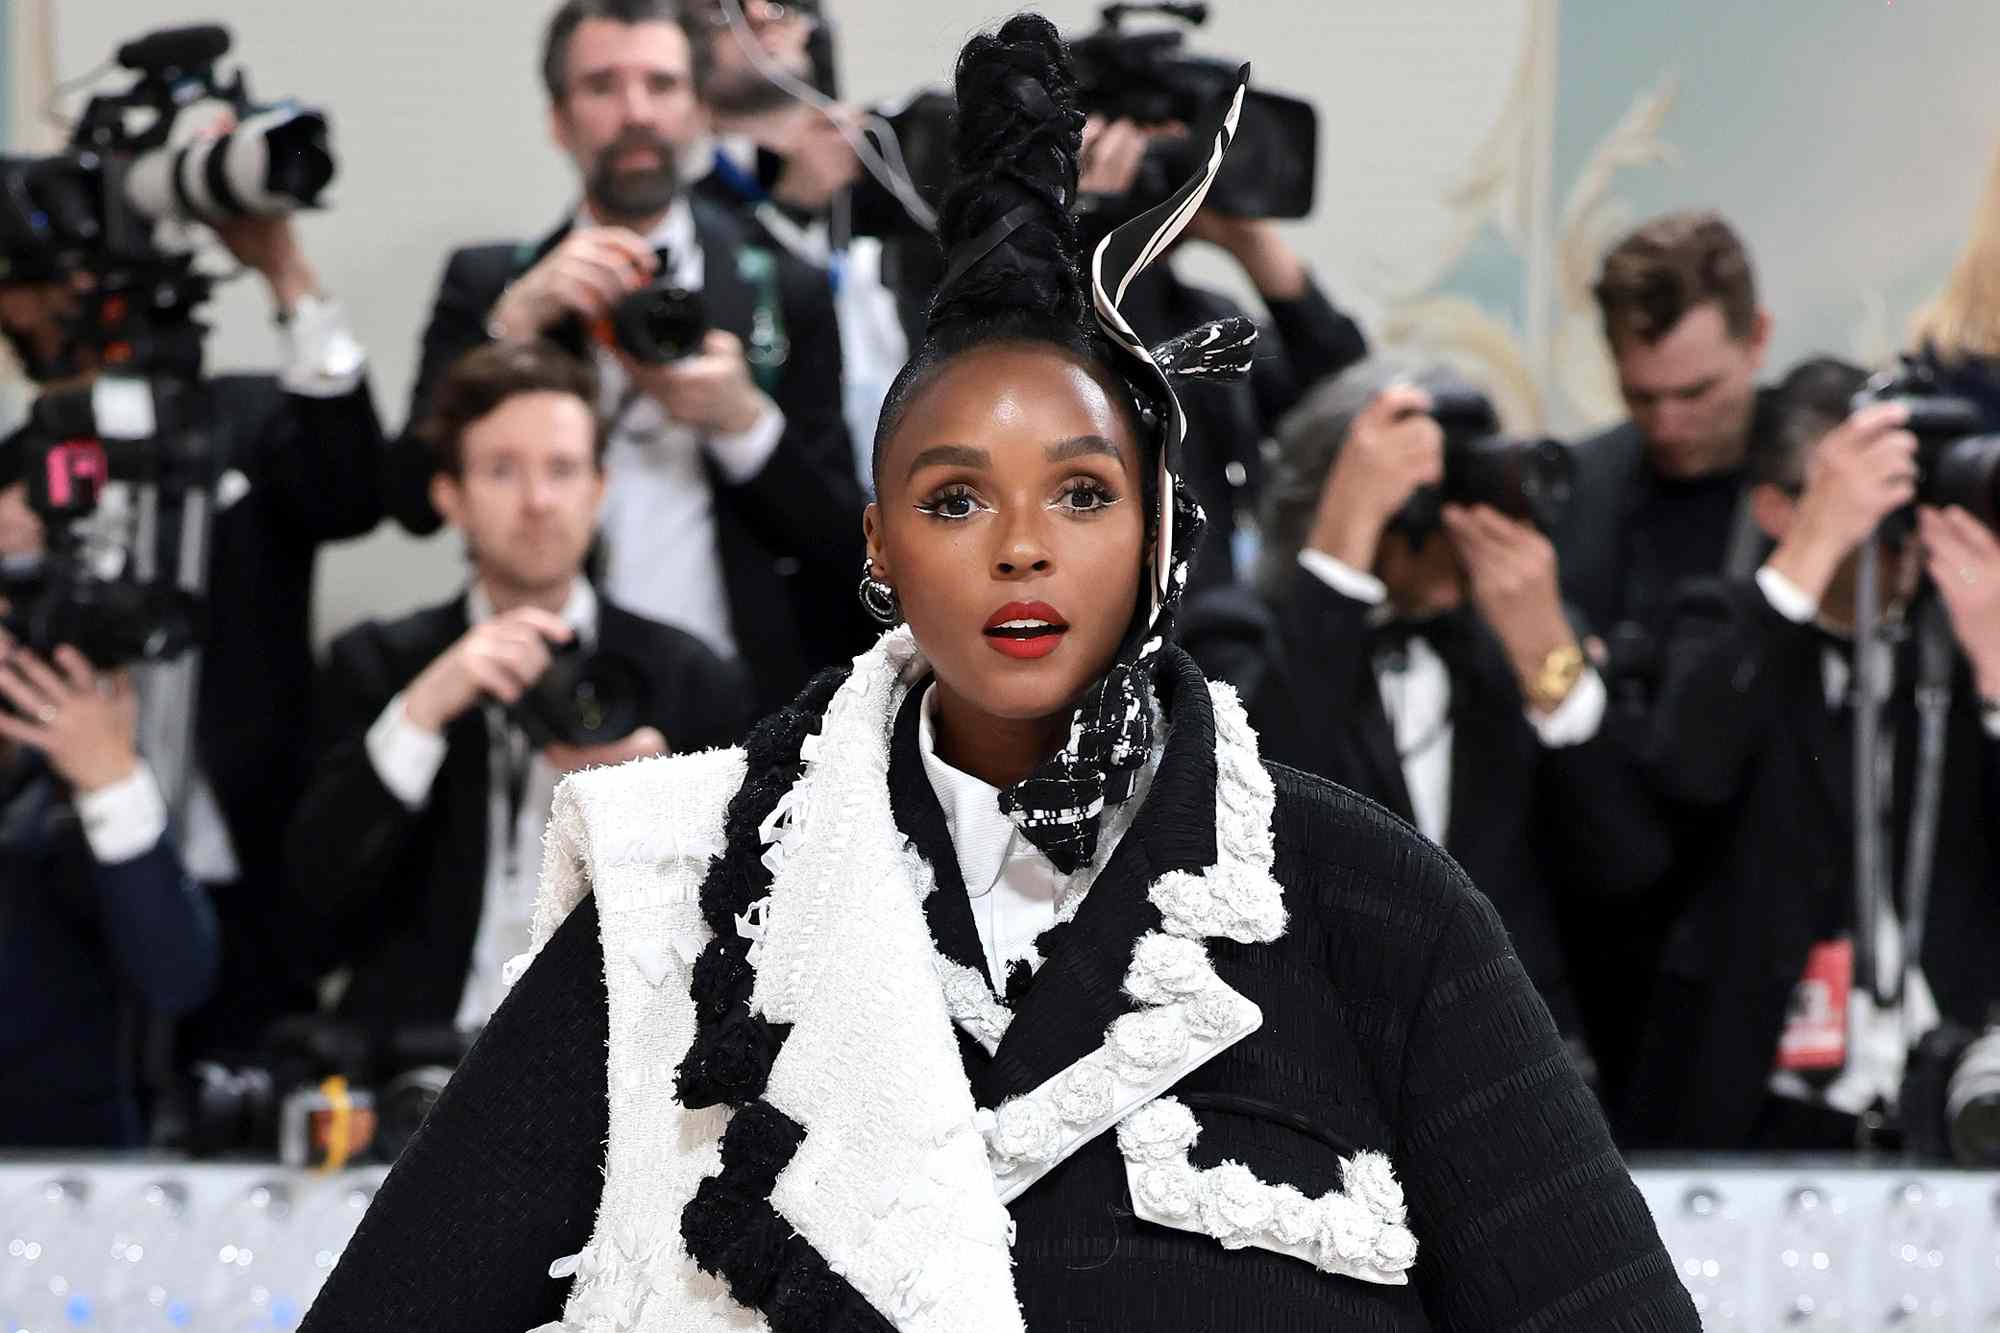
x: 1303, y: 343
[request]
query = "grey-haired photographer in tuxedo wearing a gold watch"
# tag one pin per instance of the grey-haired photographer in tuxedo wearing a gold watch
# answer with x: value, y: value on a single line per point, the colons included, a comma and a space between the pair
x: 1431, y: 670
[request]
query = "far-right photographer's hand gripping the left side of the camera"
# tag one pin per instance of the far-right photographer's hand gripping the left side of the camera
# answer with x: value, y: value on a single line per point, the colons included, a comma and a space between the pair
x: 1859, y: 475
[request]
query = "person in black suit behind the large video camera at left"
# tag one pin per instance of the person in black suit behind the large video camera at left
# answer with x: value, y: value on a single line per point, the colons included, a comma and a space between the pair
x: 299, y: 463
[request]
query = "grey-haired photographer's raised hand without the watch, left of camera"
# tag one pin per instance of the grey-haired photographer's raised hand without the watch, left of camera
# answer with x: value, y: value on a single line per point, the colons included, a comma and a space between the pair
x: 1393, y: 449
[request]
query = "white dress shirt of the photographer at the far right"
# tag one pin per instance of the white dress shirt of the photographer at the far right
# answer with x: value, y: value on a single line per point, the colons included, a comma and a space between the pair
x: 1879, y: 1038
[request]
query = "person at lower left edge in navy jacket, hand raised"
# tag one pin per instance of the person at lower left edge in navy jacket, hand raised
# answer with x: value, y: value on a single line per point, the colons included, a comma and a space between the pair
x: 99, y: 926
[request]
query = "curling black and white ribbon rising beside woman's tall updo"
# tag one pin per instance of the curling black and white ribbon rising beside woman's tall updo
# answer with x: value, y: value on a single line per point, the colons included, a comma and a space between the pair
x: 1115, y: 265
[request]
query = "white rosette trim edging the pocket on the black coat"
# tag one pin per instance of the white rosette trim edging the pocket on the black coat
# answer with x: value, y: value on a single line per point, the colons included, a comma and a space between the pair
x: 1355, y: 1232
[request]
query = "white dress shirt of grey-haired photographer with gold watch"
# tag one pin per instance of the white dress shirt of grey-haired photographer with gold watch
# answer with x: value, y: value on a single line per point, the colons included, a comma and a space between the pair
x: 1419, y: 704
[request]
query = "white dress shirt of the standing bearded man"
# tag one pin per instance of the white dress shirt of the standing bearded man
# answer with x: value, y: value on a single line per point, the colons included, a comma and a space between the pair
x: 659, y: 511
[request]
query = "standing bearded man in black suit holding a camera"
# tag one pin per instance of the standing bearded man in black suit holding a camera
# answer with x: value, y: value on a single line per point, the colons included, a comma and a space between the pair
x: 733, y: 509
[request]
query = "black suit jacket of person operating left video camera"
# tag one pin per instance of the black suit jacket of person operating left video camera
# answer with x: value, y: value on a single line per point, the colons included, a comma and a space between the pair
x: 315, y: 471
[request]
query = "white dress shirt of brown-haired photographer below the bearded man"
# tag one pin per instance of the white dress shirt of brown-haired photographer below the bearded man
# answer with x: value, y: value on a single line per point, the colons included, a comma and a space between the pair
x: 407, y: 760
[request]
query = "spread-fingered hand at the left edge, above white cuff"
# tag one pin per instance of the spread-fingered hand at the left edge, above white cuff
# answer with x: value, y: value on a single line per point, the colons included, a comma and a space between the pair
x: 83, y: 722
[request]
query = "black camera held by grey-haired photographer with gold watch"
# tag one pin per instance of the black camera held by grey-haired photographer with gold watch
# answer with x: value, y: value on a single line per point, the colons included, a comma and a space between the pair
x: 1525, y: 479
